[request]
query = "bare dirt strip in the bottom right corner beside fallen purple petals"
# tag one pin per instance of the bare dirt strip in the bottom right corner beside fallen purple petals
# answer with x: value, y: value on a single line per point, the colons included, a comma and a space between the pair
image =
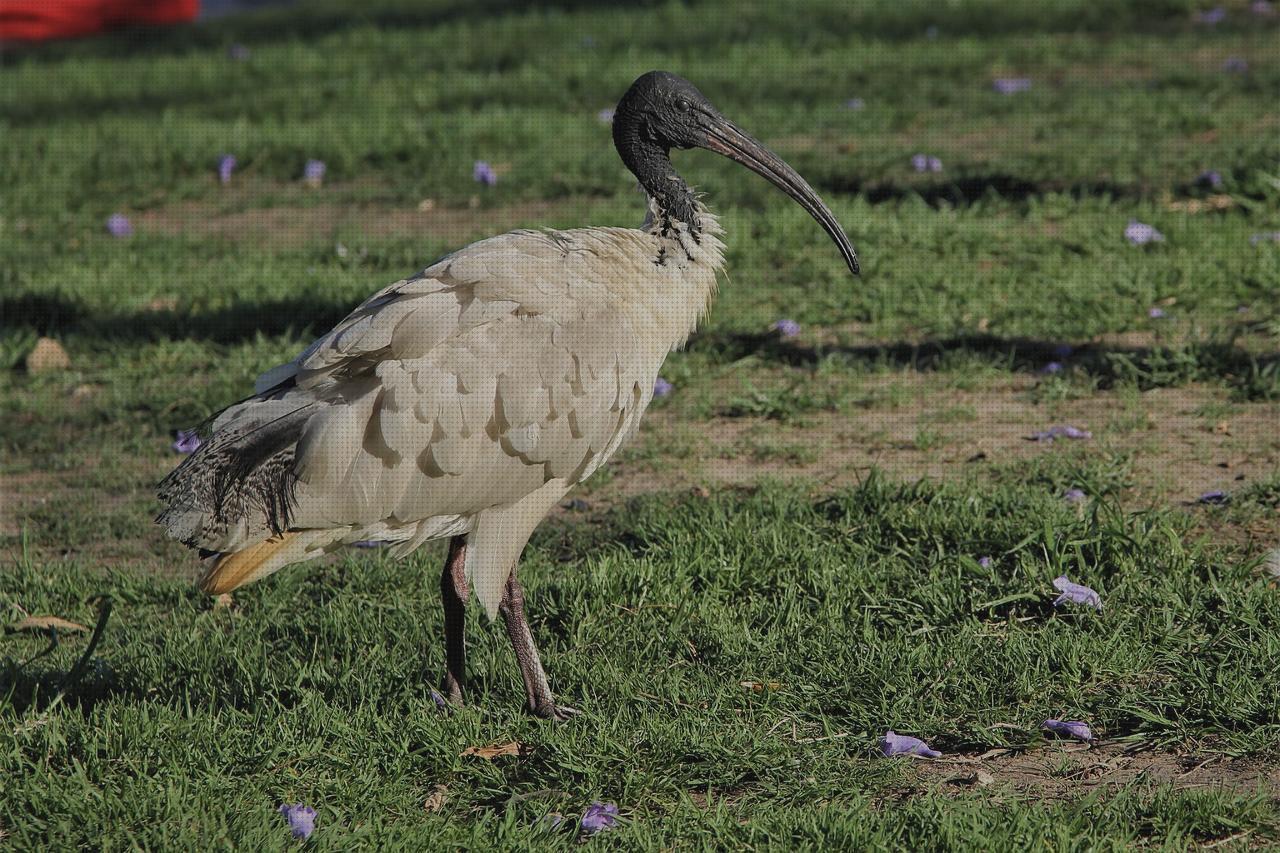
x: 1071, y: 772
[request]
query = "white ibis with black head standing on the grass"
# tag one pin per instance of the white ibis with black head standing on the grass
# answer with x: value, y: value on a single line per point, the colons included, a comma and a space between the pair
x: 468, y: 400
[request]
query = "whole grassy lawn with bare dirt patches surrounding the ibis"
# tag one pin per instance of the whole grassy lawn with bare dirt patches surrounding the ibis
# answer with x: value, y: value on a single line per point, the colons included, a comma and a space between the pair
x: 815, y: 539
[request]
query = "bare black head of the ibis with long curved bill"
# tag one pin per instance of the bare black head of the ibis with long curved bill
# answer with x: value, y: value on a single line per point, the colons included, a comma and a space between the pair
x: 662, y: 112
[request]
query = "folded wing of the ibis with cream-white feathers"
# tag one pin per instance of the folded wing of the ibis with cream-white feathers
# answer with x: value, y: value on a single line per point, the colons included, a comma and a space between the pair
x: 467, y: 387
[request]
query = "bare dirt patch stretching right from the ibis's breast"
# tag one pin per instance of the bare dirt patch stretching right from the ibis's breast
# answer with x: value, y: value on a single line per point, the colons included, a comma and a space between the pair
x: 1185, y: 443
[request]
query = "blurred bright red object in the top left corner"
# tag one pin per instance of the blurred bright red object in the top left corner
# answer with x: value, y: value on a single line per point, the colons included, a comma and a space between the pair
x: 44, y: 20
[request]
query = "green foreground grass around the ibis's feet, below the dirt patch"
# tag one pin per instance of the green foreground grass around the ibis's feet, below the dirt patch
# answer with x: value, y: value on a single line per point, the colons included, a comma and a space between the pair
x: 868, y: 608
